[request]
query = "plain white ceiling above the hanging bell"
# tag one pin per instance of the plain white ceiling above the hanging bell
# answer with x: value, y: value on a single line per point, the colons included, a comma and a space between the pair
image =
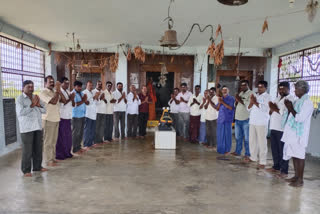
x: 102, y: 22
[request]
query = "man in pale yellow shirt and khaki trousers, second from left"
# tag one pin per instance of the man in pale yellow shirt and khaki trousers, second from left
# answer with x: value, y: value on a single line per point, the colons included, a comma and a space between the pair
x: 51, y: 119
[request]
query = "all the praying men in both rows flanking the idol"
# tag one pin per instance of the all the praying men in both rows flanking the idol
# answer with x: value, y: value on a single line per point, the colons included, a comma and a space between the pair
x: 58, y: 121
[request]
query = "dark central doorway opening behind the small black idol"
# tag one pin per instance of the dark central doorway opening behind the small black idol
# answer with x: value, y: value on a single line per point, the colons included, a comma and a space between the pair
x: 162, y: 92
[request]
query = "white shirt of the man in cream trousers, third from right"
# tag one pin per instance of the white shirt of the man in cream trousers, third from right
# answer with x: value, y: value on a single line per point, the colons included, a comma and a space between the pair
x: 259, y: 116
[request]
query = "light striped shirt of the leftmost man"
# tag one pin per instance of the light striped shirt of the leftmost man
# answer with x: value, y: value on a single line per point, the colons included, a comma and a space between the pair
x: 29, y: 118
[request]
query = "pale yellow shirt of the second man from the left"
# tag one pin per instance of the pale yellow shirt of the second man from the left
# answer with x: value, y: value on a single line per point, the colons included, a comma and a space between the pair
x: 53, y: 111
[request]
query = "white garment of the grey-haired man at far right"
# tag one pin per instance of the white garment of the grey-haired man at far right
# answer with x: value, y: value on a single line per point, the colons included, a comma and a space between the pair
x: 295, y: 146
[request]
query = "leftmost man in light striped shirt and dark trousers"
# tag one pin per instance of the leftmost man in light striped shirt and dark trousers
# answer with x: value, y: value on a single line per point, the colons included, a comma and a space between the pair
x: 29, y: 109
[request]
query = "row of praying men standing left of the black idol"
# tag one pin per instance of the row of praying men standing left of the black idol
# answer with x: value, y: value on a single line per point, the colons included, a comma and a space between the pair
x: 57, y: 121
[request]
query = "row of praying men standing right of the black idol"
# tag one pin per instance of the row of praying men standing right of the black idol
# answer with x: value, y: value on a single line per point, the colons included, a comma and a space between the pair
x: 207, y: 119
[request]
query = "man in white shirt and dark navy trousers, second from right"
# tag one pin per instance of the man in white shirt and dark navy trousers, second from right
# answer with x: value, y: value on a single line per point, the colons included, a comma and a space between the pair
x: 277, y: 109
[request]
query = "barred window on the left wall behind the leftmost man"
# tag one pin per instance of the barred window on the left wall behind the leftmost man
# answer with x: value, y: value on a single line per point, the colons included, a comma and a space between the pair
x: 20, y: 62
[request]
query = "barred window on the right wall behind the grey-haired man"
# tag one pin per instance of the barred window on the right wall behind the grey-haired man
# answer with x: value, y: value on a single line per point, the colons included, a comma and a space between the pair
x: 302, y: 65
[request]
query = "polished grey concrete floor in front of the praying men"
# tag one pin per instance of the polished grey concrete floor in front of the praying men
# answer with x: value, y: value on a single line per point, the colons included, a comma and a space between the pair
x: 132, y: 178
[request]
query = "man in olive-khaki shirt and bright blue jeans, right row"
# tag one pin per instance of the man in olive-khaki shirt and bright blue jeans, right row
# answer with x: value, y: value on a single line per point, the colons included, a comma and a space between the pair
x: 242, y: 119
